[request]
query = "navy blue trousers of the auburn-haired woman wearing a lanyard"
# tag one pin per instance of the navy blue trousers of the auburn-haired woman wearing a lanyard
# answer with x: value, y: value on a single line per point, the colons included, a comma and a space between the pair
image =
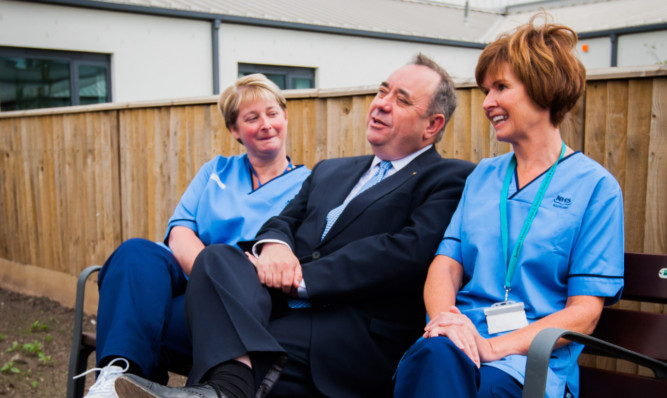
x: 435, y: 367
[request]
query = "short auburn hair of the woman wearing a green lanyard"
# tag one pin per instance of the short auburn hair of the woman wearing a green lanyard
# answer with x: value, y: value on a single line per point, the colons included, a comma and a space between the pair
x: 543, y: 60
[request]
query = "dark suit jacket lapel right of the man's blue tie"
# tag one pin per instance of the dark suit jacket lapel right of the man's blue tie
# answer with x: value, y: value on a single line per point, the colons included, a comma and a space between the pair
x: 386, y: 186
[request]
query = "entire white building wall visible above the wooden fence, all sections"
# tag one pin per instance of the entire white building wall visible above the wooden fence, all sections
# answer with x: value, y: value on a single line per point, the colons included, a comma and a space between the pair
x: 160, y: 57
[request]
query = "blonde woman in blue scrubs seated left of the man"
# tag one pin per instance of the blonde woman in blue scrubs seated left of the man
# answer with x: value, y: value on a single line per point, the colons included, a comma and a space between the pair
x: 141, y: 324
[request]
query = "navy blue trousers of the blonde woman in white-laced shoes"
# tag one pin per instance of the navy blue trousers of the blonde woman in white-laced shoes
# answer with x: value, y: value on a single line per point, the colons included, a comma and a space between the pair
x: 141, y: 311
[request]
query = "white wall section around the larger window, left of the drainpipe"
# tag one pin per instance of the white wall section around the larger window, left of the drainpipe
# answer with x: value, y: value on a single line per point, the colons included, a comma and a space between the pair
x: 151, y: 57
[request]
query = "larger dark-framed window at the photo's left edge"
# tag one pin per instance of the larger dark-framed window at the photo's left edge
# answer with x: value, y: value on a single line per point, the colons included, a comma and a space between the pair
x: 32, y: 78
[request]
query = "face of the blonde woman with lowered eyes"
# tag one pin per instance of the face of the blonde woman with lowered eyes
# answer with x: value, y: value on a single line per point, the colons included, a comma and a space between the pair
x: 261, y: 126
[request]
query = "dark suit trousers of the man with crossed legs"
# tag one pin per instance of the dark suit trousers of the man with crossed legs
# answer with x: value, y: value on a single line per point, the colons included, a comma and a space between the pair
x: 231, y: 314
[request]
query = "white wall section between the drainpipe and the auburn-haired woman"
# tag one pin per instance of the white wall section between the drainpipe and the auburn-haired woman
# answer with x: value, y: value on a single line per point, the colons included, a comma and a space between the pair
x: 340, y: 61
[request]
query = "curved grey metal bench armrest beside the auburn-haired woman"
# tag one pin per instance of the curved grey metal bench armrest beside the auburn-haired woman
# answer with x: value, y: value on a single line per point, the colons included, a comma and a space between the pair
x: 542, y: 346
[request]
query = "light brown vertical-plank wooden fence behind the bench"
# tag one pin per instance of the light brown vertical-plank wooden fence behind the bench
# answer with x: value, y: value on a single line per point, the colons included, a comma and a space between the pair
x: 75, y: 182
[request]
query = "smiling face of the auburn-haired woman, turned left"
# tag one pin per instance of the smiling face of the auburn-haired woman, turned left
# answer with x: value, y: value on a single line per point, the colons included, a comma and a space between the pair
x: 513, y: 114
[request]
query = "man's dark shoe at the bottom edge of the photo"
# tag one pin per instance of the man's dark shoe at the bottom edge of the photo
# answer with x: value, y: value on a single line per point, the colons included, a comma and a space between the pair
x: 133, y: 386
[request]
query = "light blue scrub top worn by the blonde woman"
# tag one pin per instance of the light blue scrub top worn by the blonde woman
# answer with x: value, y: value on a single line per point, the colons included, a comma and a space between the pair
x: 220, y: 205
